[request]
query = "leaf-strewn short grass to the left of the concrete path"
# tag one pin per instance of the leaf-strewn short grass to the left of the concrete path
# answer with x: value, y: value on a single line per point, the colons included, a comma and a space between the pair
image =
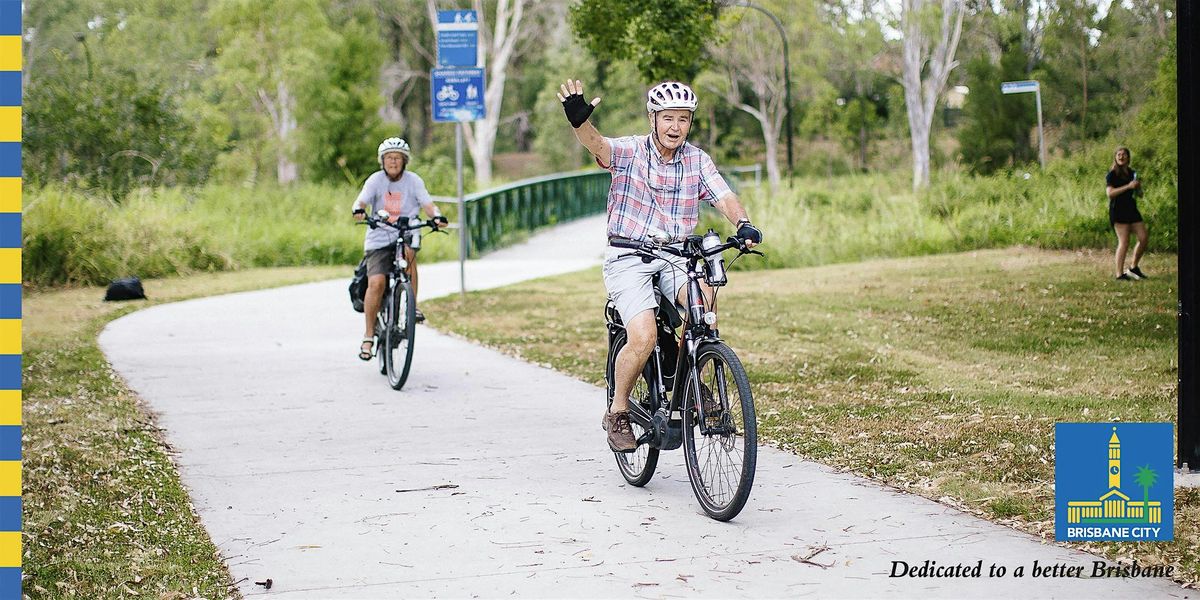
x: 105, y: 513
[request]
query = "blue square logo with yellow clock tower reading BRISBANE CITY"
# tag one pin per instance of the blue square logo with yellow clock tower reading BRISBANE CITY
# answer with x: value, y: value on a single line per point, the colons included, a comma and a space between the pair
x: 1114, y: 482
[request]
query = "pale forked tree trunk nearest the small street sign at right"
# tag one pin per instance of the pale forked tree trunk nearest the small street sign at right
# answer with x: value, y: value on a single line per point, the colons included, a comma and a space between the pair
x: 931, y: 38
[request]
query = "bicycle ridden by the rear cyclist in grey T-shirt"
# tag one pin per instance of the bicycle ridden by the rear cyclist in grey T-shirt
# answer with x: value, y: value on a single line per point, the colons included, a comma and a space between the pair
x: 397, y: 322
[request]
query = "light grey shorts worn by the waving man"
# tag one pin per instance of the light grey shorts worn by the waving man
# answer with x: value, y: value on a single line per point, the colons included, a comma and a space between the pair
x: 628, y: 281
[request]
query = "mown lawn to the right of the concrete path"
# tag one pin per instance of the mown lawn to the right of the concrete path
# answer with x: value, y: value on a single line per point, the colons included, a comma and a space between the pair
x: 943, y: 376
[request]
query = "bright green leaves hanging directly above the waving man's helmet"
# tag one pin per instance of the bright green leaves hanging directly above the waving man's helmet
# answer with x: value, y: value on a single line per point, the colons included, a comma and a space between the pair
x: 664, y: 39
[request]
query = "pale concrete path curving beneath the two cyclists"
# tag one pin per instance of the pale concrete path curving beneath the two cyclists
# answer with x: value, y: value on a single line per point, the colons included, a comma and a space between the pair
x: 488, y: 477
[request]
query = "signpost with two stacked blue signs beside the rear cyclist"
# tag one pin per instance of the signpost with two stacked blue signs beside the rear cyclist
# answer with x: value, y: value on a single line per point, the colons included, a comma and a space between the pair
x: 457, y: 93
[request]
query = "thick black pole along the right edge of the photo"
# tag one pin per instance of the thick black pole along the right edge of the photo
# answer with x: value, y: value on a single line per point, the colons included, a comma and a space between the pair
x: 1189, y: 439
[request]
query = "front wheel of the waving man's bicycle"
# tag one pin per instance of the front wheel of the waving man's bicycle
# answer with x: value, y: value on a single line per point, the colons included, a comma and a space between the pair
x: 721, y: 437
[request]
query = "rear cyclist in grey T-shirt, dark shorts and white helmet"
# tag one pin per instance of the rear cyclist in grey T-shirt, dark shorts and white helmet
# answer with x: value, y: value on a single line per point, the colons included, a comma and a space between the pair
x: 400, y: 193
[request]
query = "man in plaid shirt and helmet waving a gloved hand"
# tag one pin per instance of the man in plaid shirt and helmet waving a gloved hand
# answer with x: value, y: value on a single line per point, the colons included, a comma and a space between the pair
x: 658, y: 182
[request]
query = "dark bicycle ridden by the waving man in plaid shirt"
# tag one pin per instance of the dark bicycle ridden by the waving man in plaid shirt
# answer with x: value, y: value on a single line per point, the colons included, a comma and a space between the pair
x: 693, y: 391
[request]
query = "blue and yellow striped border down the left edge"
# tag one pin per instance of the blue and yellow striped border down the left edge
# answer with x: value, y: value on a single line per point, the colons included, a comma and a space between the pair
x: 10, y: 298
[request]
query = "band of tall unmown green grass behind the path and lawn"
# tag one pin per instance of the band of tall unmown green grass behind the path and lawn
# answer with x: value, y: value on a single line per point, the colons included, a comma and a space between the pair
x: 76, y: 238
